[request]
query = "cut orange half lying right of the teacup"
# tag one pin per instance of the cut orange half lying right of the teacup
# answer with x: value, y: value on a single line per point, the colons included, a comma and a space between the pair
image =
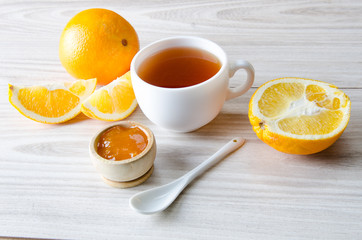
x: 299, y: 116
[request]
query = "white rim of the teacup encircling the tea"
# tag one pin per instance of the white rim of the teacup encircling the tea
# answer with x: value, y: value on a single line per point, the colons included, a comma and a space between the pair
x: 155, y: 43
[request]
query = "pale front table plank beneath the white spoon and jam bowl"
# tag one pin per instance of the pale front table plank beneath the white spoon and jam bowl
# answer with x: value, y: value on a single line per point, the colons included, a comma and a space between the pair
x: 50, y: 189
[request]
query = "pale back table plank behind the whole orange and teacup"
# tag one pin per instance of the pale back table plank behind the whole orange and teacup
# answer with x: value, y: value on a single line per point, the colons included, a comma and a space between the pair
x: 319, y: 40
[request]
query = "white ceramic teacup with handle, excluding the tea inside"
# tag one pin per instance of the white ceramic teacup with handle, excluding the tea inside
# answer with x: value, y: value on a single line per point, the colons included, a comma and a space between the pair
x: 188, y: 108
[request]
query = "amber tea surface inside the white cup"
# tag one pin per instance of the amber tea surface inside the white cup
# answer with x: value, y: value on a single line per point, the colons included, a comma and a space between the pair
x: 179, y: 67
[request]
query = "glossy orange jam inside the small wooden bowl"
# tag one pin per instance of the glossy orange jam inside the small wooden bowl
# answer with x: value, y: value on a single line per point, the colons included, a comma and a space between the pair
x: 120, y: 143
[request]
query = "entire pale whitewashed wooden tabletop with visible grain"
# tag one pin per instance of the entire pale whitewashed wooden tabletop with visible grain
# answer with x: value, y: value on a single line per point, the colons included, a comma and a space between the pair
x: 49, y: 188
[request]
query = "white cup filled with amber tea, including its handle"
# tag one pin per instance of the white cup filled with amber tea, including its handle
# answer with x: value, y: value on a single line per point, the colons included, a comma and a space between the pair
x: 181, y: 83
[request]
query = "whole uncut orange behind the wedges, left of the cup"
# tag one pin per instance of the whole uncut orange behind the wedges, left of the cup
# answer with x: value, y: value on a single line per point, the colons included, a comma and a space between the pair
x: 98, y: 43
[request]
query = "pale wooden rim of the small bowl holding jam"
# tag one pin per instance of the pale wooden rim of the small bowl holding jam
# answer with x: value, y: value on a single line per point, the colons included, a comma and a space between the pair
x: 95, y: 138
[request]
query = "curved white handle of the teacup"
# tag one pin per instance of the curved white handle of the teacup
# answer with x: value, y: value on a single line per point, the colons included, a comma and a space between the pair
x: 250, y: 73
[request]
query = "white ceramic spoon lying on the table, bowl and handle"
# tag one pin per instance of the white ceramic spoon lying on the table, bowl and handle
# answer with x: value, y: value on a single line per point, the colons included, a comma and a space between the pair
x: 159, y: 198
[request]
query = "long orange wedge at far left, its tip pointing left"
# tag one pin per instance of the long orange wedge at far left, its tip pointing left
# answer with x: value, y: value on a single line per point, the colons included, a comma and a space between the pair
x: 52, y: 103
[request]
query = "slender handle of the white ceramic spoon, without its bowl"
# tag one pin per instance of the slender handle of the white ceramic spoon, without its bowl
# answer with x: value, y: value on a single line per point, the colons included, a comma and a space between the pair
x: 231, y: 146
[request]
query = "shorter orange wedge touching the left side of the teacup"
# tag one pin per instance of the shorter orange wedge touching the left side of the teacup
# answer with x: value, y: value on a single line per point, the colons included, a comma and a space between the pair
x: 112, y: 102
